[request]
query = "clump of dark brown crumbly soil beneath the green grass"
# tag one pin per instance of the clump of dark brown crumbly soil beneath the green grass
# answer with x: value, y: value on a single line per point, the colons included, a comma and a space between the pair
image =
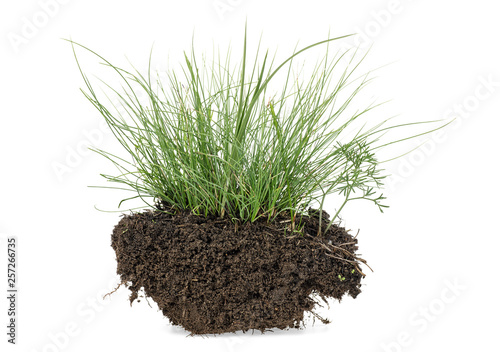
x: 211, y: 276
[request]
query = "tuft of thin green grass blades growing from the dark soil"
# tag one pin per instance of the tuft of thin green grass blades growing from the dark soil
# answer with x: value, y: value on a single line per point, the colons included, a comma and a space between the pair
x: 212, y: 139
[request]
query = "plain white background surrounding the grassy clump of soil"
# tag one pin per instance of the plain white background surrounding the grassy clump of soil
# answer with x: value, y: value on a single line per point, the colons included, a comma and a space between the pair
x: 441, y: 229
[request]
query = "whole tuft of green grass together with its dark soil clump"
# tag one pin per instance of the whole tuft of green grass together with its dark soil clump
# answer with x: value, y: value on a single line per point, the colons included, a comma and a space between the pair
x: 229, y: 159
